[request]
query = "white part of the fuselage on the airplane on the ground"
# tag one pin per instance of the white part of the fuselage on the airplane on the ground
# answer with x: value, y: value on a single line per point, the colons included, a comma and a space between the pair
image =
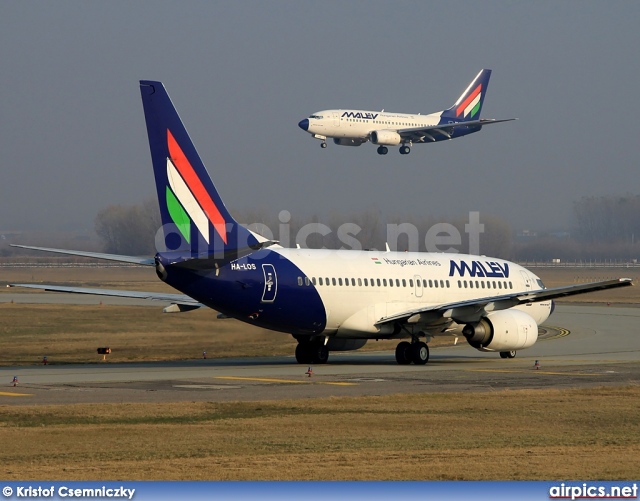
x: 359, y: 288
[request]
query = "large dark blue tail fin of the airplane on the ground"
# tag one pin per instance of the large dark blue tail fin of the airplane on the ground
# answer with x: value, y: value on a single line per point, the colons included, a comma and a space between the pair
x: 195, y: 222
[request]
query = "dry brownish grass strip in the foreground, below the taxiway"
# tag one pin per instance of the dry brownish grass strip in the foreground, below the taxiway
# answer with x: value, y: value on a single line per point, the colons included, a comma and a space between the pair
x: 571, y: 434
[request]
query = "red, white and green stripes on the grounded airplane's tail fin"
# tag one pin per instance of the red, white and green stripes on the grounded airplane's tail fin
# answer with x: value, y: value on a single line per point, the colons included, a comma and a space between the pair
x: 187, y: 198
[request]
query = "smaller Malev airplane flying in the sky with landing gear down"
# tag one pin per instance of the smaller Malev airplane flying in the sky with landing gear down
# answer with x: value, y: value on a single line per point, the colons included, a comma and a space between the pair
x: 356, y: 127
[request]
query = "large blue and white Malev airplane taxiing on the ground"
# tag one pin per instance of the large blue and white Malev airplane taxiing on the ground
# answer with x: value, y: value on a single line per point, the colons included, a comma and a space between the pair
x: 328, y: 300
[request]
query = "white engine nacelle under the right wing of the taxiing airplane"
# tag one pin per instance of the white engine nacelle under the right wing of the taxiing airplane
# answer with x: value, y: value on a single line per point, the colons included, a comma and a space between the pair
x: 504, y: 330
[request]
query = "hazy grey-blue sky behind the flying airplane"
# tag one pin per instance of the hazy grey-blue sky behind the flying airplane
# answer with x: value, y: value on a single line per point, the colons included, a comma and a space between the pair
x: 243, y: 73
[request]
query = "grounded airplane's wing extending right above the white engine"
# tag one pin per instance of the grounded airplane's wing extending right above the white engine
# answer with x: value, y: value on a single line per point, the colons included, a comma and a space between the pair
x: 474, y: 309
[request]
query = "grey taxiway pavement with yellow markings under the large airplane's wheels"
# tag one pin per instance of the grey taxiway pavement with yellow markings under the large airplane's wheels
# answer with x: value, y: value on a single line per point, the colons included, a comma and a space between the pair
x: 588, y: 346
